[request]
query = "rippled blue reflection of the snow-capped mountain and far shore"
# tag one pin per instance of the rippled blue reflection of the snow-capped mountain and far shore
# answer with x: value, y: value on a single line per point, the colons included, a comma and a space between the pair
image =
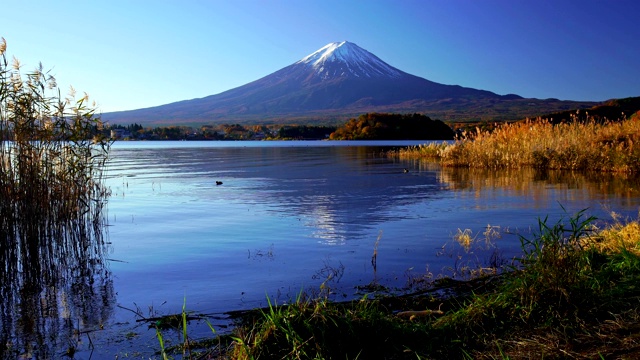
x: 338, y: 192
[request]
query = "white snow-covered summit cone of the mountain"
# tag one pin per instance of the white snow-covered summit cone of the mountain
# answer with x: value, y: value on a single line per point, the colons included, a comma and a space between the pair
x: 346, y: 59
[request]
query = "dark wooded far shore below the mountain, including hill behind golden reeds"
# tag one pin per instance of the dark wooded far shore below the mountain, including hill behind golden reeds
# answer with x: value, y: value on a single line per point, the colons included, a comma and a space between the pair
x: 369, y: 126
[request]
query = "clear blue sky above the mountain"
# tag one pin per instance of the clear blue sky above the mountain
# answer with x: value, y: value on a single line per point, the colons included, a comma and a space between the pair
x: 141, y: 53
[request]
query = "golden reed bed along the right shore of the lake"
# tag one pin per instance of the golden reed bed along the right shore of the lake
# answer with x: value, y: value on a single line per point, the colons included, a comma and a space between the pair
x: 612, y: 146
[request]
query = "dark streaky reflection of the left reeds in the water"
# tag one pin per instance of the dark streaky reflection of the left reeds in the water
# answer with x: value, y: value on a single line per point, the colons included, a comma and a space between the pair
x: 55, y: 288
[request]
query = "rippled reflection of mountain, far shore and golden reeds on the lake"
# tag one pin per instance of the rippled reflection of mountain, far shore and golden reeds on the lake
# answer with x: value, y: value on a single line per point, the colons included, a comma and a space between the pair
x: 341, y: 193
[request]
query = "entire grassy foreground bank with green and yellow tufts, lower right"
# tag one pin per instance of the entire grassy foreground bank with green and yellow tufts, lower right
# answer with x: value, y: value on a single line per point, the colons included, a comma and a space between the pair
x: 573, y: 293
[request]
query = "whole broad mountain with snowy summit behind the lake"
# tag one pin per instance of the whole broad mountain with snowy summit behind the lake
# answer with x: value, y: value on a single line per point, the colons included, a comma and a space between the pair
x: 338, y: 81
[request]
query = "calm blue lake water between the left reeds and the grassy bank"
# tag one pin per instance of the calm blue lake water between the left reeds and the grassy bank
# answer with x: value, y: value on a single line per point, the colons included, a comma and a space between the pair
x: 289, y: 216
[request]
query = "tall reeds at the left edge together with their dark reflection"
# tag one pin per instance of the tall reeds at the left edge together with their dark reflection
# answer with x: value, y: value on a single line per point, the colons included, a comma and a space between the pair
x: 52, y: 198
